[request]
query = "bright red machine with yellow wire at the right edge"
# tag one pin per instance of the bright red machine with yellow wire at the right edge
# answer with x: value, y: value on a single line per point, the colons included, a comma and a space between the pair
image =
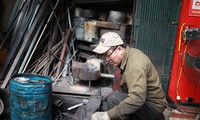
x: 184, y: 83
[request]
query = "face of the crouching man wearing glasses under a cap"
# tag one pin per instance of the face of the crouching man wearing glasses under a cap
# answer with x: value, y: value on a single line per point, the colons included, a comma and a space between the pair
x: 114, y: 56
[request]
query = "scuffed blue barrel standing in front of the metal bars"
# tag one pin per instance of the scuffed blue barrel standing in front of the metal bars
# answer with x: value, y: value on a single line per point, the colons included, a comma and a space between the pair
x: 30, y: 97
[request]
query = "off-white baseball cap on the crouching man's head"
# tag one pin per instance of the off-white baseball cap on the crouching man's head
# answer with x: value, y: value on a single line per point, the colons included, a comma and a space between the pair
x: 108, y: 40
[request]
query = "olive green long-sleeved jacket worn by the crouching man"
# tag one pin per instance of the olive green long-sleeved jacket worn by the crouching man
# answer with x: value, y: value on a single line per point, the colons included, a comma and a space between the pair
x: 143, y: 85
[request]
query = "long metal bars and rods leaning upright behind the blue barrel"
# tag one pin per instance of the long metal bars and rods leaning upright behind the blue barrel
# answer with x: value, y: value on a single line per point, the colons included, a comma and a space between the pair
x: 39, y: 37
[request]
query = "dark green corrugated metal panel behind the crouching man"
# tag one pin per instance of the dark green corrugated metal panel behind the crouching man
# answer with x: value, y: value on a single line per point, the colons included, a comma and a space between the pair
x: 154, y: 33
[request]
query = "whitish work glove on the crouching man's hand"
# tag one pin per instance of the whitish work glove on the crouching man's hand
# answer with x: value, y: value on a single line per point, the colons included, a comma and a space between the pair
x: 100, y: 116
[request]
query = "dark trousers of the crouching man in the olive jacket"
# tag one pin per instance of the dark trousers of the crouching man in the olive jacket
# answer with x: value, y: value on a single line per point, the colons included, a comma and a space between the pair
x: 146, y: 112
